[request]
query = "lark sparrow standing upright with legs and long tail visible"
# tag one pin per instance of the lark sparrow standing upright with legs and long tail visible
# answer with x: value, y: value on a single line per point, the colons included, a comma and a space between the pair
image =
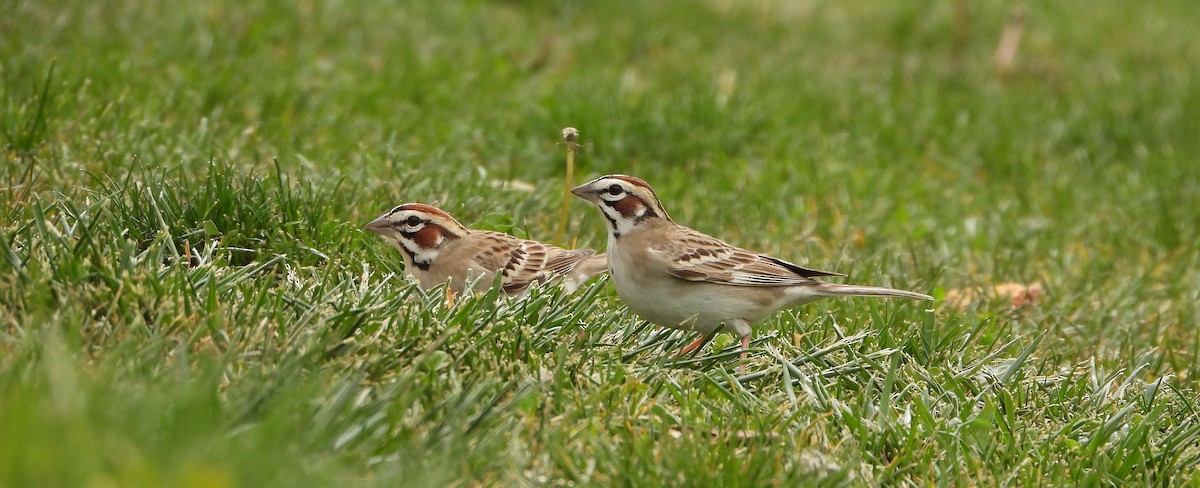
x: 680, y: 279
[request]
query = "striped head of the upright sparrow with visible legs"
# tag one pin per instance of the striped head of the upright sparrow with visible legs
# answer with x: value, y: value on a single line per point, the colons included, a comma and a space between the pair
x: 627, y: 202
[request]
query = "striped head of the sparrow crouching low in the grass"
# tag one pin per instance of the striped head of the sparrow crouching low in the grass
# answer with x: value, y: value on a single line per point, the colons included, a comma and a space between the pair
x: 419, y: 231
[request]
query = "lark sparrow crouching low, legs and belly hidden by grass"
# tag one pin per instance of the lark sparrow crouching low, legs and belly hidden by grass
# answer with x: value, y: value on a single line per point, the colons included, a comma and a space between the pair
x: 436, y: 248
